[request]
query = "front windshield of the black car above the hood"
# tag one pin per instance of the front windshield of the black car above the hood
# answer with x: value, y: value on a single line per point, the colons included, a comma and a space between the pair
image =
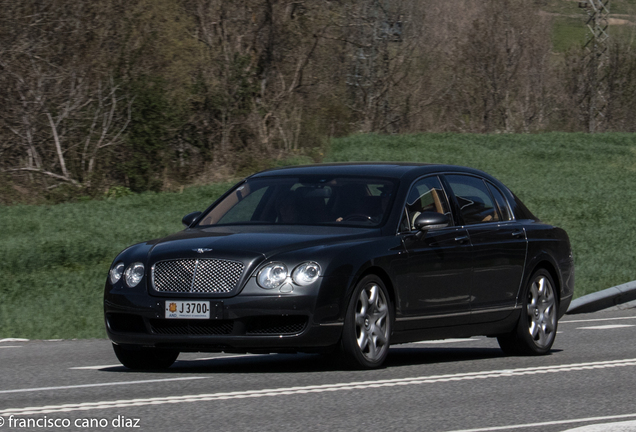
x: 351, y: 201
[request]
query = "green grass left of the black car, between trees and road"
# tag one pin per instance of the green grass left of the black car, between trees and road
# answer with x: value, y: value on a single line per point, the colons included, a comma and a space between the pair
x: 54, y: 259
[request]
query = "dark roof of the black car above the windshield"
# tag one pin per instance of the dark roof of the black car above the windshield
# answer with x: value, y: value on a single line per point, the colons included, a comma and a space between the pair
x: 396, y: 170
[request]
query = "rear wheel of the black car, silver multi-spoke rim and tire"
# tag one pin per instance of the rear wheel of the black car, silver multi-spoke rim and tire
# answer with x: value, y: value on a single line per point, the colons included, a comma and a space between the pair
x: 537, y: 326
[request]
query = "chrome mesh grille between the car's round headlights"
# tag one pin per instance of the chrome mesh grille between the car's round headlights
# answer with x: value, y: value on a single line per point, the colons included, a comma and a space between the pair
x: 196, y: 275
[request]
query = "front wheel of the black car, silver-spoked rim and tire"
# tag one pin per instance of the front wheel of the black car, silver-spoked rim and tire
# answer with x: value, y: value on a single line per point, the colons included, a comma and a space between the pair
x: 368, y: 324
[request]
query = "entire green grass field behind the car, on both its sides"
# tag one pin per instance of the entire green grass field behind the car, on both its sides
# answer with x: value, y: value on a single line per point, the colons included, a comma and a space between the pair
x: 54, y: 259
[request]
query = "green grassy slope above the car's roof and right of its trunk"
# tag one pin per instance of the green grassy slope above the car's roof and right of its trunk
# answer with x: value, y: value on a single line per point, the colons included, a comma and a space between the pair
x: 583, y: 183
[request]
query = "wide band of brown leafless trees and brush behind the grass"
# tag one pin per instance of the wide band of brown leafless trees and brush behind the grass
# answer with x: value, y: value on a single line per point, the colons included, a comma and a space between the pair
x: 171, y: 90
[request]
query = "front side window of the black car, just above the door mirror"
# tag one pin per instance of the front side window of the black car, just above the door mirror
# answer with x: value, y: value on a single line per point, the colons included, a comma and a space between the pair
x: 426, y: 194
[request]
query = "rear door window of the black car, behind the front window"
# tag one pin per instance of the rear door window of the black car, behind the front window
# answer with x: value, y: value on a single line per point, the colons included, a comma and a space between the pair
x: 474, y: 199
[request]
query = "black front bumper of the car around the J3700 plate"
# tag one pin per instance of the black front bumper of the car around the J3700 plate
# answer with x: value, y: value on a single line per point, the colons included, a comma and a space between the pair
x: 244, y: 323
